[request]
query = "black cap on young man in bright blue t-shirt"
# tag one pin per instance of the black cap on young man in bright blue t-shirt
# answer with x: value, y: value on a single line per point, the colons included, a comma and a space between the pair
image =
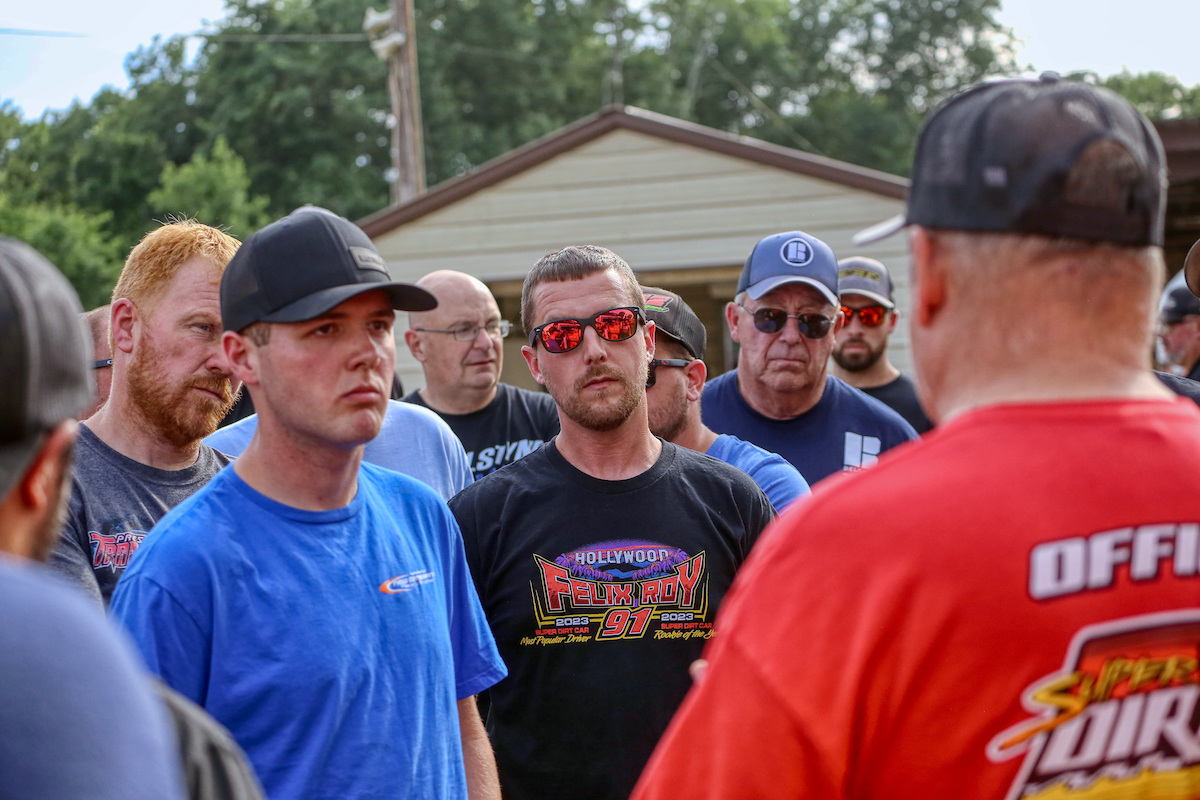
x: 305, y: 264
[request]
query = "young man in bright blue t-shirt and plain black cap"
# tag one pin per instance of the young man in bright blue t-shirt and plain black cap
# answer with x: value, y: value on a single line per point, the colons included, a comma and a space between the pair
x: 317, y: 606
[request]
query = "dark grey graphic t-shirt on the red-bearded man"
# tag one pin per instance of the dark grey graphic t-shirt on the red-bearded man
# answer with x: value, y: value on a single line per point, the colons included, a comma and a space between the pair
x: 115, y: 502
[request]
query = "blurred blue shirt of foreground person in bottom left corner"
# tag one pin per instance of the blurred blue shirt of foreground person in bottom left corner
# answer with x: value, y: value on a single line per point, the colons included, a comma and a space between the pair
x: 79, y: 719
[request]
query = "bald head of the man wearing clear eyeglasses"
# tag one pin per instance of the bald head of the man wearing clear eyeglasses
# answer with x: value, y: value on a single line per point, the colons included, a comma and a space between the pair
x: 460, y: 358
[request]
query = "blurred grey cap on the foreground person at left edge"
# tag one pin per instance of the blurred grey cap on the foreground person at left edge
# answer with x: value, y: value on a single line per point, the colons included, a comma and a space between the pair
x: 45, y: 354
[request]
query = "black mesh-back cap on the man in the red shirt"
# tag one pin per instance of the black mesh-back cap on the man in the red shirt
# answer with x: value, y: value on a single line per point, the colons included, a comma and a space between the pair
x: 997, y: 159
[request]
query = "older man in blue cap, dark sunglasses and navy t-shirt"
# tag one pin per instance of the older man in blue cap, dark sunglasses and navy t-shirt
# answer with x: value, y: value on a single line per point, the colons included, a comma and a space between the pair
x: 782, y: 398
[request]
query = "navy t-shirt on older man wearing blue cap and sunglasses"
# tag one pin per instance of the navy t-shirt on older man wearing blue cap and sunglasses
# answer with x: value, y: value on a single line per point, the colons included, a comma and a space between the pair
x: 845, y: 431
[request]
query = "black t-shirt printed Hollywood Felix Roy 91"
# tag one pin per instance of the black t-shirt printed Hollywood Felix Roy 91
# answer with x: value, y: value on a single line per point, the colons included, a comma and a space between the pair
x: 601, y: 594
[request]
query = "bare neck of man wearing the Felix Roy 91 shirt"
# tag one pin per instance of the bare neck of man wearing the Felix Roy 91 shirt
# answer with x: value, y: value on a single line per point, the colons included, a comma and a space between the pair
x: 627, y: 452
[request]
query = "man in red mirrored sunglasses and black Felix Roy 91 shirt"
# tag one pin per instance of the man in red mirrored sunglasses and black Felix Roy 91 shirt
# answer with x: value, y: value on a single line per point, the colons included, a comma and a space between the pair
x: 601, y: 558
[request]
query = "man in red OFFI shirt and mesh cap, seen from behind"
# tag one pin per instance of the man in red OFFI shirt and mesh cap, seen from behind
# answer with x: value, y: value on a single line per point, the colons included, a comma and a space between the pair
x: 981, y: 615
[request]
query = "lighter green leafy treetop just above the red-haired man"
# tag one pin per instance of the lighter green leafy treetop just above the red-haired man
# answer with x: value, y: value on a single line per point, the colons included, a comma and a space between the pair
x: 214, y: 189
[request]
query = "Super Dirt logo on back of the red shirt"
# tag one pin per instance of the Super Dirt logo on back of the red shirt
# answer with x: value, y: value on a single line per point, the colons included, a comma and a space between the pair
x: 1119, y: 720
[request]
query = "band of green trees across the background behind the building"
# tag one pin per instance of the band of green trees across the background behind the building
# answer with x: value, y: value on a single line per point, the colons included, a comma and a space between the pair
x: 286, y: 104
